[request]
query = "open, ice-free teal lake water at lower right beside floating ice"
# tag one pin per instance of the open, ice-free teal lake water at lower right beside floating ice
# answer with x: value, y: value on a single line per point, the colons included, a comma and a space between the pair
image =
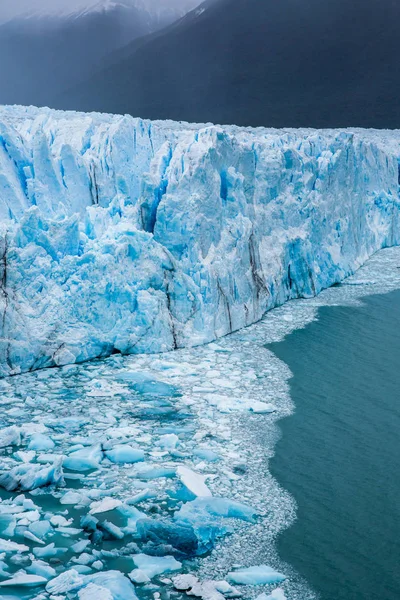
x: 339, y: 455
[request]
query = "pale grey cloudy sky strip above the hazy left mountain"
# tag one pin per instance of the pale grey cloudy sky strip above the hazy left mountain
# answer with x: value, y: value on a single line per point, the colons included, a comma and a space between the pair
x: 13, y: 8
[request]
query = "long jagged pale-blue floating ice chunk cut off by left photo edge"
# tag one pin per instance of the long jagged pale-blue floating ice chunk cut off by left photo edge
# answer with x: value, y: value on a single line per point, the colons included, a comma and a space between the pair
x: 29, y: 477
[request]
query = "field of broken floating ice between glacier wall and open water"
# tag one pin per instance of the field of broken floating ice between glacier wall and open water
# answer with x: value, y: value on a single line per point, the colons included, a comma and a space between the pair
x: 179, y: 521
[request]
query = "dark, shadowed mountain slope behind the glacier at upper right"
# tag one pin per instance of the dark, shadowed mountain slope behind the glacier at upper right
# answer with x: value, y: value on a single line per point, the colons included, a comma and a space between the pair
x: 261, y: 62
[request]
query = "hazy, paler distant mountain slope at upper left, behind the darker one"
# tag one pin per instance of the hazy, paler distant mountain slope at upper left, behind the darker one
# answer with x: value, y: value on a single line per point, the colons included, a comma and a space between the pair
x: 43, y: 53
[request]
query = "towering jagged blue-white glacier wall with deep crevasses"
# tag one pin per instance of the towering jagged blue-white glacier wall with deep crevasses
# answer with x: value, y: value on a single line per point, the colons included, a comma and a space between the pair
x: 123, y: 235
